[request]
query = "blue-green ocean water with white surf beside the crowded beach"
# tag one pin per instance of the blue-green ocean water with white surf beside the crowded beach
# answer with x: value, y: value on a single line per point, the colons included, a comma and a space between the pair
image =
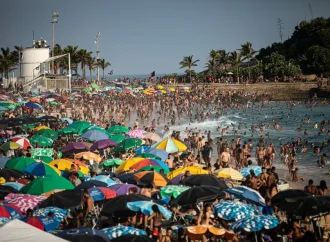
x: 289, y: 118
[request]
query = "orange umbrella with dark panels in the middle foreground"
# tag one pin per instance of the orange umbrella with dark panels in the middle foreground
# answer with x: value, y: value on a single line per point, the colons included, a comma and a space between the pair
x: 151, y: 177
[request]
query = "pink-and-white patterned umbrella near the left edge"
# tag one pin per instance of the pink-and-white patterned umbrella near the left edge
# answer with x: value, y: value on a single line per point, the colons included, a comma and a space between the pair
x: 23, y: 201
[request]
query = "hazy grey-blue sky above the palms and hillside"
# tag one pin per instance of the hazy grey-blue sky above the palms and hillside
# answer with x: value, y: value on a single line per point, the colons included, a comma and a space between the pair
x: 141, y: 36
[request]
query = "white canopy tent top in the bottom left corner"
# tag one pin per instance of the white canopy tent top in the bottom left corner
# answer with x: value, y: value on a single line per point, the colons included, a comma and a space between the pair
x: 17, y: 230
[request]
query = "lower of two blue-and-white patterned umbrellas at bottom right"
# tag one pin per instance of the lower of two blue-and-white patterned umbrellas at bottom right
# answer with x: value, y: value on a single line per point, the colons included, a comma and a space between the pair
x: 254, y: 223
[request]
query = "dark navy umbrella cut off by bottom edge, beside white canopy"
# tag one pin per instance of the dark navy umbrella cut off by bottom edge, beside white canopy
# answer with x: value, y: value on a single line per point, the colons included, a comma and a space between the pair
x: 83, y: 235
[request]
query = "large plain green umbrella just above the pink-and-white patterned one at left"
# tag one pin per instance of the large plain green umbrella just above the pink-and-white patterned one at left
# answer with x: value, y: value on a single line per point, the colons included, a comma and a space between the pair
x: 45, y: 184
